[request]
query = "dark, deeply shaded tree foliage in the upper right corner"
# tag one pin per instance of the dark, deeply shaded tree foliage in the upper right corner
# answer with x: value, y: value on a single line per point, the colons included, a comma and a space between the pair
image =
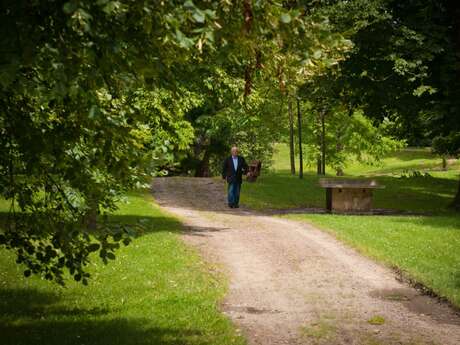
x: 409, y: 75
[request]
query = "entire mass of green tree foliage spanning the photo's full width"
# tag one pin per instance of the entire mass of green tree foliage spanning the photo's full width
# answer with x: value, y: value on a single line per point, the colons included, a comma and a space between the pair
x: 99, y: 96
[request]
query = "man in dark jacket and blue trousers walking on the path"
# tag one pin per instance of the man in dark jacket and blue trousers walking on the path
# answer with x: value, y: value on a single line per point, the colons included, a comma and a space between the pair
x: 233, y: 169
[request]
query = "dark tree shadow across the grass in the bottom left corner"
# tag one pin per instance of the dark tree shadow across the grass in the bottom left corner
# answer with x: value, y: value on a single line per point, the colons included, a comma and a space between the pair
x: 28, y: 316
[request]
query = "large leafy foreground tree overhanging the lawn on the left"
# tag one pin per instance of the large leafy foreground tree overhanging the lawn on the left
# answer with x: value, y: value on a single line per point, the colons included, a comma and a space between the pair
x: 93, y: 99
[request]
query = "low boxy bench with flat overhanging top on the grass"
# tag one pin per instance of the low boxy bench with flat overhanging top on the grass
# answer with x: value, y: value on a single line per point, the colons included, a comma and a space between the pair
x: 345, y: 195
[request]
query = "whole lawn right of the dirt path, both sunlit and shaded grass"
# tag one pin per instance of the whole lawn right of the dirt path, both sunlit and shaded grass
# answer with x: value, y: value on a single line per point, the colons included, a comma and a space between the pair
x: 425, y: 248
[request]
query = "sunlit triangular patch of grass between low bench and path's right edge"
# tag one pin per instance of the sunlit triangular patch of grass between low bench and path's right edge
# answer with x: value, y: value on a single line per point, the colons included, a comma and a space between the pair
x: 425, y: 249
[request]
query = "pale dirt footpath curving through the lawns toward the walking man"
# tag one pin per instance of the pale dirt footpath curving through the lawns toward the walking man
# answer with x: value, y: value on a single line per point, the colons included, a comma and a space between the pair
x: 293, y: 284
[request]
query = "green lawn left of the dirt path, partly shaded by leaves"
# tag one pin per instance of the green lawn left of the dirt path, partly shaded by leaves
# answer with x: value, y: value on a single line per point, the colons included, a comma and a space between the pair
x: 157, y: 291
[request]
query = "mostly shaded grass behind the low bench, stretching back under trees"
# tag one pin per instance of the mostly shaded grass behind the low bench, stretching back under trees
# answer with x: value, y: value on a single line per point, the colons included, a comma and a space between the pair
x: 279, y: 189
